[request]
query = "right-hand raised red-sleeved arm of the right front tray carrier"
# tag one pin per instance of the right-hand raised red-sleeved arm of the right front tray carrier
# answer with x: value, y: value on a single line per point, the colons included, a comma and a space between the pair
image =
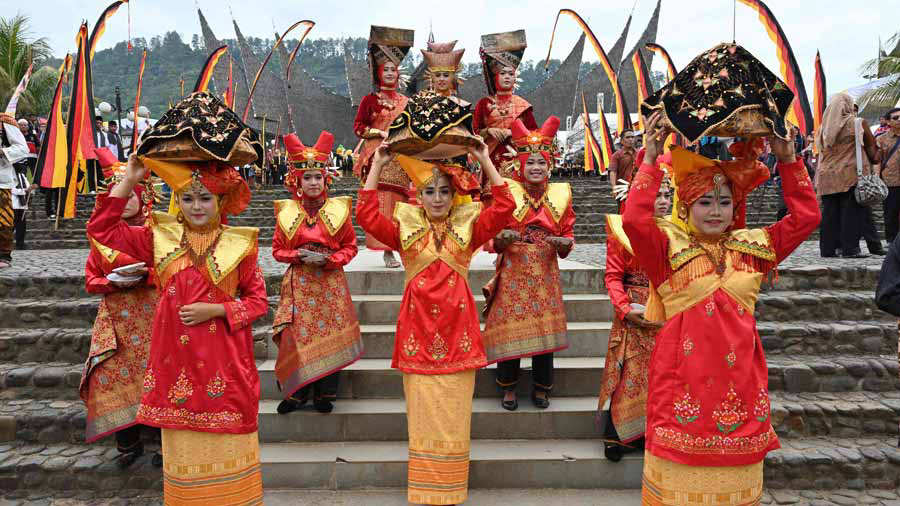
x: 799, y: 195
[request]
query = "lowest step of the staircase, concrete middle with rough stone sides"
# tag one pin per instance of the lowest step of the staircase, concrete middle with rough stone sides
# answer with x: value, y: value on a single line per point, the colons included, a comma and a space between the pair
x: 816, y: 463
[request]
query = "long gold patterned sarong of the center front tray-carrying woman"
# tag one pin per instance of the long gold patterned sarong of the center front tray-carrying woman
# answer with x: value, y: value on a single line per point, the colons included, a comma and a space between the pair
x: 439, y: 414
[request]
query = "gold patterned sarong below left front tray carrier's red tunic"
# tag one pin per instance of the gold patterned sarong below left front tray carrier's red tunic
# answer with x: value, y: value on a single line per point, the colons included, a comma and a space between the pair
x: 203, y: 468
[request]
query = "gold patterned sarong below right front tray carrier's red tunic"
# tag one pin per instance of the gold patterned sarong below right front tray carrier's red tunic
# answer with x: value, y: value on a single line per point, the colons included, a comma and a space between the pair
x: 668, y: 483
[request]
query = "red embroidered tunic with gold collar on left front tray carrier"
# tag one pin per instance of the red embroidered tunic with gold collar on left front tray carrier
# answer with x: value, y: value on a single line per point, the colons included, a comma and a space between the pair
x: 201, y: 377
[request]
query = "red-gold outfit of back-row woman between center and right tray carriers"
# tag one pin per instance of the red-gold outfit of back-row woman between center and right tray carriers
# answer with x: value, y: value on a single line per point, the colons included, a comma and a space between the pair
x: 526, y: 314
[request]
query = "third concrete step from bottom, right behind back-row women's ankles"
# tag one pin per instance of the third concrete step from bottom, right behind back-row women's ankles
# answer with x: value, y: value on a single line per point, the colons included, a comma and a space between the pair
x: 373, y: 378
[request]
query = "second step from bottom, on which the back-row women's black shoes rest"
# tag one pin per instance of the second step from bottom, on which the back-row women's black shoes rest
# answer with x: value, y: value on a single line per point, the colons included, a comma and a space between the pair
x: 836, y: 415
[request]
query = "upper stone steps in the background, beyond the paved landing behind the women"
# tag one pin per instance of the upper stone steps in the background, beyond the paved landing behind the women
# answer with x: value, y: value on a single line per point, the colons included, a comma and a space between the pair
x: 592, y: 201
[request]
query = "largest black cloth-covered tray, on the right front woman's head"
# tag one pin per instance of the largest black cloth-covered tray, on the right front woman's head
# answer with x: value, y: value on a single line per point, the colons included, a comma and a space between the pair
x: 724, y: 92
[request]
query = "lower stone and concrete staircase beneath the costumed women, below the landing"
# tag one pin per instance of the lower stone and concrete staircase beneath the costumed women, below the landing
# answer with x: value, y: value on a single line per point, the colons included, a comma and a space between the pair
x: 833, y: 375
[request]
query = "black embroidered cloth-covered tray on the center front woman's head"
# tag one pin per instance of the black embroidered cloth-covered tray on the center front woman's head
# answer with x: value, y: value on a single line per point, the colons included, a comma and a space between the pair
x: 433, y: 127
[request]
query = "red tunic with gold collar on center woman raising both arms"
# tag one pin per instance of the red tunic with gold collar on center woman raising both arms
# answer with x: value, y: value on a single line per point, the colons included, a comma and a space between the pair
x: 437, y: 328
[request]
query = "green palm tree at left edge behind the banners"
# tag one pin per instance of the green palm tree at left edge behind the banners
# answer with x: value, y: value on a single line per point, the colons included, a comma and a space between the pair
x: 18, y: 50
